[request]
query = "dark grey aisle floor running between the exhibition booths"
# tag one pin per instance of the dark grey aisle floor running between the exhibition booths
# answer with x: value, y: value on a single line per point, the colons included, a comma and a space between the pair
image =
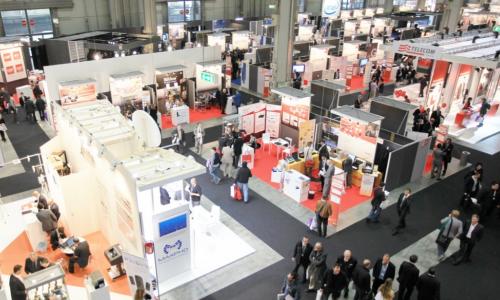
x: 277, y: 231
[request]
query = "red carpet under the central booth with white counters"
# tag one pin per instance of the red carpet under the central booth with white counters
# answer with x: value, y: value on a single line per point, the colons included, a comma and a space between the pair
x: 265, y: 162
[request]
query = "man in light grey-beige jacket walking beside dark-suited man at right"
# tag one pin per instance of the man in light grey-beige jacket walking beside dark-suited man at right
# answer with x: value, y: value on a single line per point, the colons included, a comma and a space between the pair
x: 450, y: 228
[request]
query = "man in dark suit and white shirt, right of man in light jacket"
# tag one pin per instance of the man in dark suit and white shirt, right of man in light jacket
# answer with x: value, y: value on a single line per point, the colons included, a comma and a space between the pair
x: 471, y: 234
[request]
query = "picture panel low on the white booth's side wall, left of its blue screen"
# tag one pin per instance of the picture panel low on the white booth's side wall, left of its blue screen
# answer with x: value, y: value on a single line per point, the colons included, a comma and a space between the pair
x: 138, y: 275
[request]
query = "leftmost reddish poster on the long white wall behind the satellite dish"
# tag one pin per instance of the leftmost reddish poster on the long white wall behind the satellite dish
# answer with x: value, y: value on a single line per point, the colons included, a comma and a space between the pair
x: 76, y: 92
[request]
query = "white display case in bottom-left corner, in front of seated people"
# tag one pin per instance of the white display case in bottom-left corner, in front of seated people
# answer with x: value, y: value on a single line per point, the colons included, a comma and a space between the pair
x: 46, y: 284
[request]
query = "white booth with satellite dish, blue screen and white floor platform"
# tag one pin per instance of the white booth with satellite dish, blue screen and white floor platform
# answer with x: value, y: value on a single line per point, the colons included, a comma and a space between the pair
x: 135, y: 197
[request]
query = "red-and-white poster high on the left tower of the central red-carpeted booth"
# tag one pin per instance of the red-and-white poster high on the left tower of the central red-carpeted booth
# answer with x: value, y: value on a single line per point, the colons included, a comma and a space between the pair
x: 295, y: 111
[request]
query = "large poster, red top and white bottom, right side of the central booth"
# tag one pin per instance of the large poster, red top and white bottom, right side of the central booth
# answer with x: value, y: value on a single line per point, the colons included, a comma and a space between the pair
x: 358, y: 138
